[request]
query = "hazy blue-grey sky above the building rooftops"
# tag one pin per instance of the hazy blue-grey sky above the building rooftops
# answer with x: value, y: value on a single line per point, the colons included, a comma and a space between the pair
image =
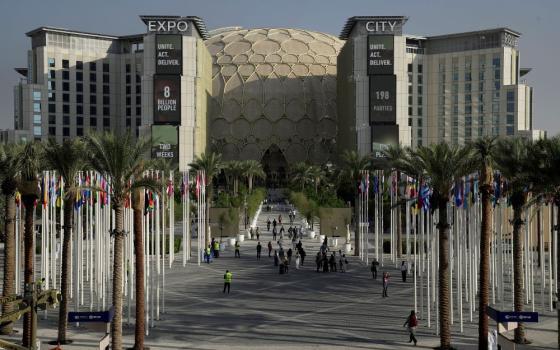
x: 535, y: 19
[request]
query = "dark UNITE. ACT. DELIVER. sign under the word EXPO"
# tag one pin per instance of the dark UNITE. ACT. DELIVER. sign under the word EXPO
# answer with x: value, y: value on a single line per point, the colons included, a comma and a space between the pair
x: 169, y: 54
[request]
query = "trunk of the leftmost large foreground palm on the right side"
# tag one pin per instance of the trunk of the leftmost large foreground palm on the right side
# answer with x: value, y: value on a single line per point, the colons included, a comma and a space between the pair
x: 443, y: 275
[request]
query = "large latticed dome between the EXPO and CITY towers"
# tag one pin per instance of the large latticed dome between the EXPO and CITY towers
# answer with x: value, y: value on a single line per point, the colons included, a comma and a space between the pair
x: 273, y: 88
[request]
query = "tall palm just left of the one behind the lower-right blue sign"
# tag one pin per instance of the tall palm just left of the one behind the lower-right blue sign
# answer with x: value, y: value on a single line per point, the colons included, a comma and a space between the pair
x: 483, y: 151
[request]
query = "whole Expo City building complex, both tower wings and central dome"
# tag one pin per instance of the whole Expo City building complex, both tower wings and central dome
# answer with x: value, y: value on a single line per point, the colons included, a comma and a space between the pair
x: 278, y: 95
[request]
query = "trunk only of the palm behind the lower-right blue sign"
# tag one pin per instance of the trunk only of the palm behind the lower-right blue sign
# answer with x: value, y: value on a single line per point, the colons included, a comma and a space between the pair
x: 518, y: 269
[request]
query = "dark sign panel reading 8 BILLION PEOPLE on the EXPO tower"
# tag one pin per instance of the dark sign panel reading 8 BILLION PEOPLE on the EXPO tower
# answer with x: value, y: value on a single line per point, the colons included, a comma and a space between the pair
x: 167, y: 99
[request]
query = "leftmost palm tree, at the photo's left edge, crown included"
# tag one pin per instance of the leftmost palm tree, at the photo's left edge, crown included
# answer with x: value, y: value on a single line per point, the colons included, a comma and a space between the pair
x: 8, y: 164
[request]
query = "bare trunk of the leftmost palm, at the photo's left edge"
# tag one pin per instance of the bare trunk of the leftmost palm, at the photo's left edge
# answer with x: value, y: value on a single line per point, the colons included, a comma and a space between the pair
x: 9, y: 258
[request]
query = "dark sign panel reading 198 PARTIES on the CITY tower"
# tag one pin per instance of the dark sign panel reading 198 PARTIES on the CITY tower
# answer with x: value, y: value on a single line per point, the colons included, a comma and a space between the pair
x: 382, y: 99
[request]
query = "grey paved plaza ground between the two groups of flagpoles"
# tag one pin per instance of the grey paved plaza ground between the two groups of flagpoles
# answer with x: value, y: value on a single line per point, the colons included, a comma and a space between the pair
x: 299, y: 310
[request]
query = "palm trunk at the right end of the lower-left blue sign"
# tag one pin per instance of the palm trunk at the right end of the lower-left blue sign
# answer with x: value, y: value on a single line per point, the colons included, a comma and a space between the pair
x: 116, y: 329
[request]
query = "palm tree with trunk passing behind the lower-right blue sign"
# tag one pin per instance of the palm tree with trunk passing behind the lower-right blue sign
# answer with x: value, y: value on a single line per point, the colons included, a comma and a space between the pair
x: 512, y: 159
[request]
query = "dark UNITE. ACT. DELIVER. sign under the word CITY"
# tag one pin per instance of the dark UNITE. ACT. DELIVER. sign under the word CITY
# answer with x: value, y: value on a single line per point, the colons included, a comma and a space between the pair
x: 380, y: 53
